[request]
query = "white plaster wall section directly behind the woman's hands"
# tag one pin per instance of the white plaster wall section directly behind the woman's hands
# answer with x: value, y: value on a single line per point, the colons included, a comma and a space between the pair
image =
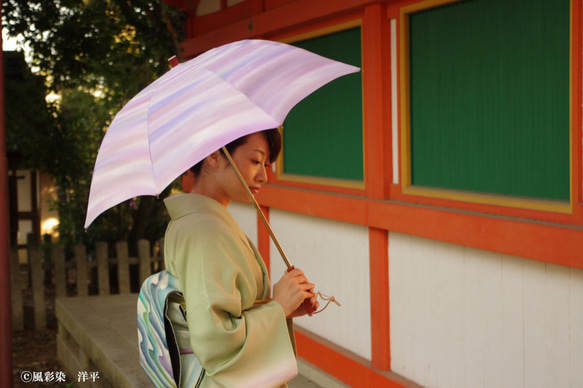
x: 335, y: 256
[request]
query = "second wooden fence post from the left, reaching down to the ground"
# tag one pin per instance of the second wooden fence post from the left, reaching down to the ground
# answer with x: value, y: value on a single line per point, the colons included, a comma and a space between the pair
x: 38, y: 289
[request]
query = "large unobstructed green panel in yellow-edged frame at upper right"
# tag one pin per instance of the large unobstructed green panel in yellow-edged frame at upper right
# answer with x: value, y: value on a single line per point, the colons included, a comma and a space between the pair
x: 489, y: 84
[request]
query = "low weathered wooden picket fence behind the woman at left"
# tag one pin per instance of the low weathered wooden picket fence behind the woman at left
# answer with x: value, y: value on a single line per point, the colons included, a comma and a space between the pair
x: 47, y: 267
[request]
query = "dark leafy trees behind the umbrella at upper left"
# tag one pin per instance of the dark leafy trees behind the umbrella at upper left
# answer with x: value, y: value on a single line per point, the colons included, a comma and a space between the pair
x: 96, y: 54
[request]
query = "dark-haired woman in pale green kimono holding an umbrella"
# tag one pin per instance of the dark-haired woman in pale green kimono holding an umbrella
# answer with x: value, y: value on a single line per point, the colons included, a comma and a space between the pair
x: 240, y: 343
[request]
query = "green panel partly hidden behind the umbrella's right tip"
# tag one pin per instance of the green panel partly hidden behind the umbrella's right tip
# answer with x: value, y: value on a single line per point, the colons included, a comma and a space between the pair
x: 323, y: 133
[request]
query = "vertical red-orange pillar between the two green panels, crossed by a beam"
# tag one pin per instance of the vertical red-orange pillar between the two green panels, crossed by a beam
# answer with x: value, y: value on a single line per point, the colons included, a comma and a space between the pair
x: 376, y: 87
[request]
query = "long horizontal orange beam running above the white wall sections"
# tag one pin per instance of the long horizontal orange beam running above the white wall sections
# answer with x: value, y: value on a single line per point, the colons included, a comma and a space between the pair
x: 552, y: 243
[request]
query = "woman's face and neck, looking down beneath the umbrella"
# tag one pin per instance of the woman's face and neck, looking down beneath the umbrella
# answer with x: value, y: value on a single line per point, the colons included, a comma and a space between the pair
x: 252, y: 160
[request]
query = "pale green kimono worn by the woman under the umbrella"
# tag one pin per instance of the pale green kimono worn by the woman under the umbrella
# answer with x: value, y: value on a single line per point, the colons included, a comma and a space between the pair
x: 222, y: 274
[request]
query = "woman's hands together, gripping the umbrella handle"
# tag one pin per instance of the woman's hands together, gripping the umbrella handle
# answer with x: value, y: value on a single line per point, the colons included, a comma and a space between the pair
x: 295, y: 294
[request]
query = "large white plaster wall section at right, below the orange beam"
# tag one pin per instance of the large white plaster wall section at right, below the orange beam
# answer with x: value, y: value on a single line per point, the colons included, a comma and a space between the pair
x: 462, y: 317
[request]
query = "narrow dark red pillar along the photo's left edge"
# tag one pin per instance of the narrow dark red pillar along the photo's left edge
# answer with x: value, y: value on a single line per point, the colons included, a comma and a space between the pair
x: 5, y: 295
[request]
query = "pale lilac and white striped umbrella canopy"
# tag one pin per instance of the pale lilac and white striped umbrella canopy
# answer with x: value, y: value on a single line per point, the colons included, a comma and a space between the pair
x: 196, y: 108
